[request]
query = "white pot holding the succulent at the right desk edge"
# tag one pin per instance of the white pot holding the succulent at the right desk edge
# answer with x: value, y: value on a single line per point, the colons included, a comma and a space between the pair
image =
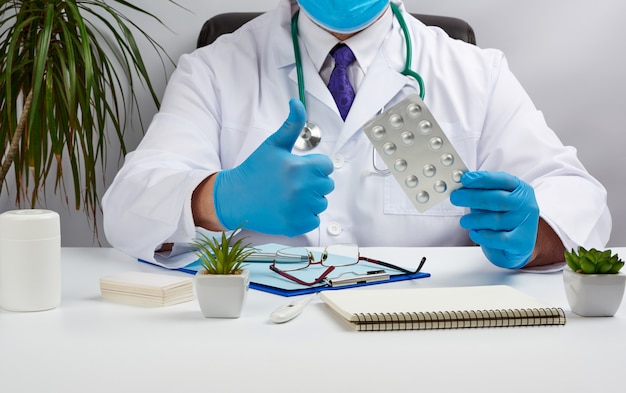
x: 594, y: 295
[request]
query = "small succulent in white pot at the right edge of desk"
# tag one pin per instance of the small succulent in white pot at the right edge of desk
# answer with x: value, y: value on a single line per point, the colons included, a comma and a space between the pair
x: 594, y: 286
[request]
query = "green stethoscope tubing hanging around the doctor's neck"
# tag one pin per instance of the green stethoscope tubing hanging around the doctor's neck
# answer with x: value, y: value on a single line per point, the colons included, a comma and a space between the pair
x: 407, y: 65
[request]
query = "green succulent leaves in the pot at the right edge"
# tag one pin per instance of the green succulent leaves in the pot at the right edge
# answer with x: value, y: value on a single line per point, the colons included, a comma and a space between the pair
x: 593, y: 261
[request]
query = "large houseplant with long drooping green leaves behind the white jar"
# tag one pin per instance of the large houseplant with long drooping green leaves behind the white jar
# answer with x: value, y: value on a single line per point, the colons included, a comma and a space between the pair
x: 68, y: 74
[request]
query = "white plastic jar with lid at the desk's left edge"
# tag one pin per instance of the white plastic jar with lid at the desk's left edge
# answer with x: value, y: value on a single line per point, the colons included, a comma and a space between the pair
x: 30, y: 260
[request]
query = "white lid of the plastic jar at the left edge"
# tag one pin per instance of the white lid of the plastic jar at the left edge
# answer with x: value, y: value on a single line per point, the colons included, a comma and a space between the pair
x: 29, y: 224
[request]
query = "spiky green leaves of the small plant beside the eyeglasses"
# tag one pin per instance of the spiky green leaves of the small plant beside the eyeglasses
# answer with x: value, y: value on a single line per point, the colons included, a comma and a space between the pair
x: 222, y: 257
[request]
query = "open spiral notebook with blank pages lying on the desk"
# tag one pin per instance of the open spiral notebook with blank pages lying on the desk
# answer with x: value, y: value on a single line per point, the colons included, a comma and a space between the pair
x: 441, y: 308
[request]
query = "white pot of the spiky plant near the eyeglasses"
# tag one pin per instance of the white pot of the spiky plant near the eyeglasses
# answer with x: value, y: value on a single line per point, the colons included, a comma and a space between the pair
x: 221, y: 296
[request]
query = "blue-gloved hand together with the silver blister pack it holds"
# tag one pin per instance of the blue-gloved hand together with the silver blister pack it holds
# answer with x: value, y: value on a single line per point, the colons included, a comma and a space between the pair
x: 504, y: 215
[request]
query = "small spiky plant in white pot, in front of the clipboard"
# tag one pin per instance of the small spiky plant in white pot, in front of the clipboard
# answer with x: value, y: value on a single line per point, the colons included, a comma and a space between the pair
x: 222, y: 282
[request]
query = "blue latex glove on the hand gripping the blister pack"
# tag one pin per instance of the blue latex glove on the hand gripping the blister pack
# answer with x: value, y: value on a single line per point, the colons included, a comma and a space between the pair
x: 504, y: 216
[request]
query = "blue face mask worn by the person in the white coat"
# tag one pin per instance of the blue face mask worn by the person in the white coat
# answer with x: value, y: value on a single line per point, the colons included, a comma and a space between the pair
x: 344, y: 16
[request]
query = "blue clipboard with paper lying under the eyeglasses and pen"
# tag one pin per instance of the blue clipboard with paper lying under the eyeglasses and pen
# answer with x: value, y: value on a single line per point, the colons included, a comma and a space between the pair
x: 264, y: 279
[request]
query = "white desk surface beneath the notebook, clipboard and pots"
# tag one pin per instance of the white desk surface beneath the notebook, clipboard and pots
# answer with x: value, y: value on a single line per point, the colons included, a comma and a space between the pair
x: 89, y: 345
